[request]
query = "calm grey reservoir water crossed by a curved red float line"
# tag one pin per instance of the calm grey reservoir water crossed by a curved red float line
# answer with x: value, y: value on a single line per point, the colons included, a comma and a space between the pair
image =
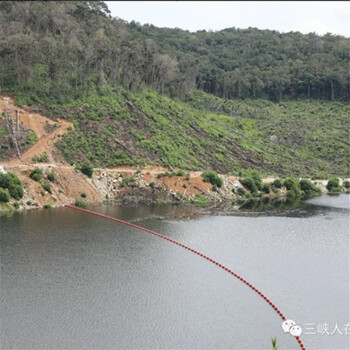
x: 75, y: 281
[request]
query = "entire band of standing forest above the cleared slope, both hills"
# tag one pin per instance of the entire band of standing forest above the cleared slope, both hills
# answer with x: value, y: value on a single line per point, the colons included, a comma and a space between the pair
x: 64, y: 50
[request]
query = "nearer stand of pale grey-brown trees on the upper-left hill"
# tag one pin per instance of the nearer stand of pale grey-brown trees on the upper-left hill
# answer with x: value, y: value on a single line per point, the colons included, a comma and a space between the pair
x: 62, y: 50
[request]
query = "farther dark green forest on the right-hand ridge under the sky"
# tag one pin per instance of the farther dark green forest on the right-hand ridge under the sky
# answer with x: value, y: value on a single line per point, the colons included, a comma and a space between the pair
x: 236, y: 63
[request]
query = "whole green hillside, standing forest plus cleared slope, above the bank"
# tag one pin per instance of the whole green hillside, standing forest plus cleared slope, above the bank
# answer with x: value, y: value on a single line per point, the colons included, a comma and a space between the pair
x: 144, y: 95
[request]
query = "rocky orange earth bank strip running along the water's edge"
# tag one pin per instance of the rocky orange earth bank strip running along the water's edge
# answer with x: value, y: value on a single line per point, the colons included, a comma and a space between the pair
x: 131, y: 186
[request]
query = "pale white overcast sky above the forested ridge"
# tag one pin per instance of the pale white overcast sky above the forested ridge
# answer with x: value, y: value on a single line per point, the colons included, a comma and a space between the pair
x: 303, y: 16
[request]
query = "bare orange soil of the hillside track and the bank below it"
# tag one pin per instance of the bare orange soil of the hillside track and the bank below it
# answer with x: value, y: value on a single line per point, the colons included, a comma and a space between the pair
x: 105, y: 184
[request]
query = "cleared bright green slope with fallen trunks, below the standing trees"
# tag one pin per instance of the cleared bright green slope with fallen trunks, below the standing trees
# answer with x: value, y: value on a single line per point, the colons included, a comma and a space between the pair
x: 289, y: 138
